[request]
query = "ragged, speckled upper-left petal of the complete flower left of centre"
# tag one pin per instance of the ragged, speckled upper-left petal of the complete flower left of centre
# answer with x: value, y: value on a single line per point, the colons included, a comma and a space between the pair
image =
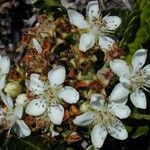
x: 35, y: 84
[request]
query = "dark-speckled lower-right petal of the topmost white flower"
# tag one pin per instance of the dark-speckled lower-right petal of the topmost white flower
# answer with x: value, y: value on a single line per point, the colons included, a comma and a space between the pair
x: 105, y: 42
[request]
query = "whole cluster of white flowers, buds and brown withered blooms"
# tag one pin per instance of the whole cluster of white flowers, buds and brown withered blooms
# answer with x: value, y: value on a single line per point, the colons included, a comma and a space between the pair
x: 56, y: 84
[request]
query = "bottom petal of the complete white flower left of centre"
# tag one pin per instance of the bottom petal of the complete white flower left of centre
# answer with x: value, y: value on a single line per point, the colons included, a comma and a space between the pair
x: 56, y: 114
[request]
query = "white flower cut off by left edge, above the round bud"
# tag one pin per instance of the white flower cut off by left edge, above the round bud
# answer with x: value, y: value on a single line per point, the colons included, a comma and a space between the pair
x: 4, y: 69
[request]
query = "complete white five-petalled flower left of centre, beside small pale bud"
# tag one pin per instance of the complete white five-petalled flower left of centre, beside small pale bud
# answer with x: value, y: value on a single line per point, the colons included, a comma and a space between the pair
x: 50, y: 94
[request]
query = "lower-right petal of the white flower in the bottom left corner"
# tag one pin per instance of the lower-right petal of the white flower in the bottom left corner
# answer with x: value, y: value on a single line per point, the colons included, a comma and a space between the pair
x: 23, y: 128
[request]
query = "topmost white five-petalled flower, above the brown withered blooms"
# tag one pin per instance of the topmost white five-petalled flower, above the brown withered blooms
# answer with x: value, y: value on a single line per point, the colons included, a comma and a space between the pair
x: 95, y: 26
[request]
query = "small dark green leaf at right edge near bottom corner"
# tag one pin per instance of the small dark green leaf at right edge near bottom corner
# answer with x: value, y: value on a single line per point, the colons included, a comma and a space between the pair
x: 142, y: 130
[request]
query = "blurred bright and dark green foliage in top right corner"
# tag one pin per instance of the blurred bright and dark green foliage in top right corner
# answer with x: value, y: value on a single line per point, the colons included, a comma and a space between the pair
x: 136, y: 25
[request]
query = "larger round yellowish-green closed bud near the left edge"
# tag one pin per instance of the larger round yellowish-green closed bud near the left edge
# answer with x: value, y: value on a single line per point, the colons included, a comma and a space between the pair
x: 13, y: 88
